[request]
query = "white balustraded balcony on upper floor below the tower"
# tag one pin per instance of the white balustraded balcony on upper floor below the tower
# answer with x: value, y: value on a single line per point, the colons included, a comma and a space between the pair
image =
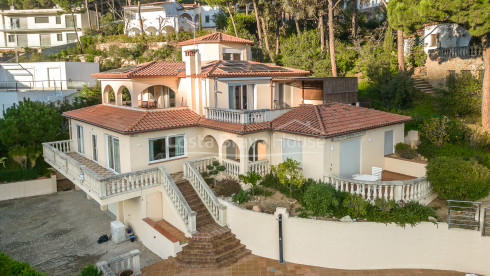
x: 243, y: 116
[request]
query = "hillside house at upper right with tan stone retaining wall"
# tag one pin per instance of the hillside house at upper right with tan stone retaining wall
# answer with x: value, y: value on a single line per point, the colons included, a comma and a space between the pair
x: 451, y: 50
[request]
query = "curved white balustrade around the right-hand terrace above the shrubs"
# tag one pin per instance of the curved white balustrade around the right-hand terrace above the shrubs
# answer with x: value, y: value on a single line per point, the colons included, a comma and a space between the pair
x: 406, y: 190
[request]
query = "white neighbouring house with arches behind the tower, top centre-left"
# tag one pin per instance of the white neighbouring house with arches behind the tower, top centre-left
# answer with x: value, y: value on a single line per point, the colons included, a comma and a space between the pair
x: 168, y: 17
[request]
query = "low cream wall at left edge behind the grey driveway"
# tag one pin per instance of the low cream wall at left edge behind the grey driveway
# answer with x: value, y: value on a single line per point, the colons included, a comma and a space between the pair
x: 28, y: 188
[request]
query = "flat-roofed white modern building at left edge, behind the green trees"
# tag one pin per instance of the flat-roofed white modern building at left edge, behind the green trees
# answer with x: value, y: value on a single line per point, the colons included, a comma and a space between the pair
x: 43, y: 81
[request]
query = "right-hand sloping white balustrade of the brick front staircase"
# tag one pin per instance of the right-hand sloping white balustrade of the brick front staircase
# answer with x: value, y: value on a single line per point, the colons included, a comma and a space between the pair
x: 217, y: 210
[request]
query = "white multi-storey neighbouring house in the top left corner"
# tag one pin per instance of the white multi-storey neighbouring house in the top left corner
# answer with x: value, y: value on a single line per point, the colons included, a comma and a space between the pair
x: 40, y: 28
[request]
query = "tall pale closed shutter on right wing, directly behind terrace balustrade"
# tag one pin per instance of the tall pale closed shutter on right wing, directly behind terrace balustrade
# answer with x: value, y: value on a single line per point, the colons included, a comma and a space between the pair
x: 350, y: 158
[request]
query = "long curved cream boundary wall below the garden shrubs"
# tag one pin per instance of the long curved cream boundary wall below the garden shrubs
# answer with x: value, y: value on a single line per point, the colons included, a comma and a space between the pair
x: 361, y: 245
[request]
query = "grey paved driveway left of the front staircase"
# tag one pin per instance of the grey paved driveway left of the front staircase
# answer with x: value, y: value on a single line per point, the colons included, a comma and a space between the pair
x: 58, y: 233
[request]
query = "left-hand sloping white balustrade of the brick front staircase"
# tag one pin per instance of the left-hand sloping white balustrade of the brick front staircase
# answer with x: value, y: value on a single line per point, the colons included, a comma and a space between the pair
x: 178, y: 201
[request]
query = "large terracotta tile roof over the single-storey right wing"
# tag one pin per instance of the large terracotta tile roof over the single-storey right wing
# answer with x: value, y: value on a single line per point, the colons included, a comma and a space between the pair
x: 334, y: 119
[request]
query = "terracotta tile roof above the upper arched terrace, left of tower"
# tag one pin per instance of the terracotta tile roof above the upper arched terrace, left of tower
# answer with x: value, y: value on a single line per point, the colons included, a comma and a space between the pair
x: 149, y: 69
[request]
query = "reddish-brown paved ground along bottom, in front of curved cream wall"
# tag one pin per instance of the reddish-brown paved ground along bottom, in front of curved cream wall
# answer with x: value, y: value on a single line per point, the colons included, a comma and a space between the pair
x: 255, y: 265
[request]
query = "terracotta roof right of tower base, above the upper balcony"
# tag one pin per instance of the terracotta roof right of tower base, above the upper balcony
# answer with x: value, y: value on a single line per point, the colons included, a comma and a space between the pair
x: 231, y: 68
